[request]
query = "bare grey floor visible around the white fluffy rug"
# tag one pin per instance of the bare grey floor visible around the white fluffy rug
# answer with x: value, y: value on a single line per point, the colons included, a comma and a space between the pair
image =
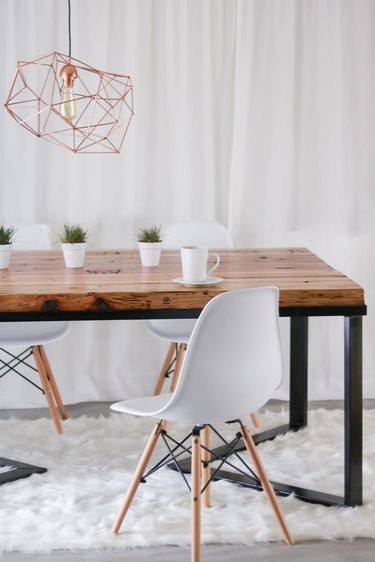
x: 360, y: 550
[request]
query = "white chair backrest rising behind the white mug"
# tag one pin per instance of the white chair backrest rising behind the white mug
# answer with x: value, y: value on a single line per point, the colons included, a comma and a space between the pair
x: 196, y: 233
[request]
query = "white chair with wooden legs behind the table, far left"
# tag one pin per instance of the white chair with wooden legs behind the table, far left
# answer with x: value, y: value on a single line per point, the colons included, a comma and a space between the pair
x: 32, y: 336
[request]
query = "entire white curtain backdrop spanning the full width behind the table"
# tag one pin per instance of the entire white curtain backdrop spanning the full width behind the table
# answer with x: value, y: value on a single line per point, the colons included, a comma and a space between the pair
x: 256, y: 113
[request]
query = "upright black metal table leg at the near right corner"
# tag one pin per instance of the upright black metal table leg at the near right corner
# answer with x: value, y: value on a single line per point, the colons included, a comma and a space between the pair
x: 353, y: 410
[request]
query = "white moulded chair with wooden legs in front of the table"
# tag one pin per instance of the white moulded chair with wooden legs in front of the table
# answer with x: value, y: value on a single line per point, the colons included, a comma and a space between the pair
x: 232, y: 365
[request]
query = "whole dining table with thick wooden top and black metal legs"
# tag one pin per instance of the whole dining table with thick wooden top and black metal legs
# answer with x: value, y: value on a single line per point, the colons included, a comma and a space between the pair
x: 113, y: 284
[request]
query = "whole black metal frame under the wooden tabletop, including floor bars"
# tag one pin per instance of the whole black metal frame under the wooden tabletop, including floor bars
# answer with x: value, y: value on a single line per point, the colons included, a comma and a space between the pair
x: 298, y: 385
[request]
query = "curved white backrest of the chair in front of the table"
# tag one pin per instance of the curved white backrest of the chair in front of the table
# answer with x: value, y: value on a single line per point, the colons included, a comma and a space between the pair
x: 234, y: 359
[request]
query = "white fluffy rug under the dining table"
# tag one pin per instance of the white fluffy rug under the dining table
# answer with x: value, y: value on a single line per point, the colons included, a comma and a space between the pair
x: 73, y: 505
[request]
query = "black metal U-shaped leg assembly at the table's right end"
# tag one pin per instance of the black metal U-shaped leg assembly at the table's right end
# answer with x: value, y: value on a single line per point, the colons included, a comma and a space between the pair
x: 298, y: 415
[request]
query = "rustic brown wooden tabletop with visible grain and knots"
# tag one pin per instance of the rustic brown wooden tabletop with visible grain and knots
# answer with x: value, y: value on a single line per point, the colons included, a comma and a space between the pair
x: 114, y: 280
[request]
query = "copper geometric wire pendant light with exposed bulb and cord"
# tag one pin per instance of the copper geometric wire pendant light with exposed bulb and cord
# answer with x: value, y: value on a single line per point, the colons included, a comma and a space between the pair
x: 70, y: 103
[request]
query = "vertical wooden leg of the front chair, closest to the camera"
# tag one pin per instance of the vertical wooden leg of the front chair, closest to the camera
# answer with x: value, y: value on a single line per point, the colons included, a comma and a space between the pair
x: 196, y: 498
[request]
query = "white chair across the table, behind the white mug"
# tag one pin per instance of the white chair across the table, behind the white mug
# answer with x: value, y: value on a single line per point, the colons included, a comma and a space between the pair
x: 178, y: 332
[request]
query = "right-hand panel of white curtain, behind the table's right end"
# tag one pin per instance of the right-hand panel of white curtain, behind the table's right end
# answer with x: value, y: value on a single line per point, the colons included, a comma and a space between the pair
x: 303, y: 151
